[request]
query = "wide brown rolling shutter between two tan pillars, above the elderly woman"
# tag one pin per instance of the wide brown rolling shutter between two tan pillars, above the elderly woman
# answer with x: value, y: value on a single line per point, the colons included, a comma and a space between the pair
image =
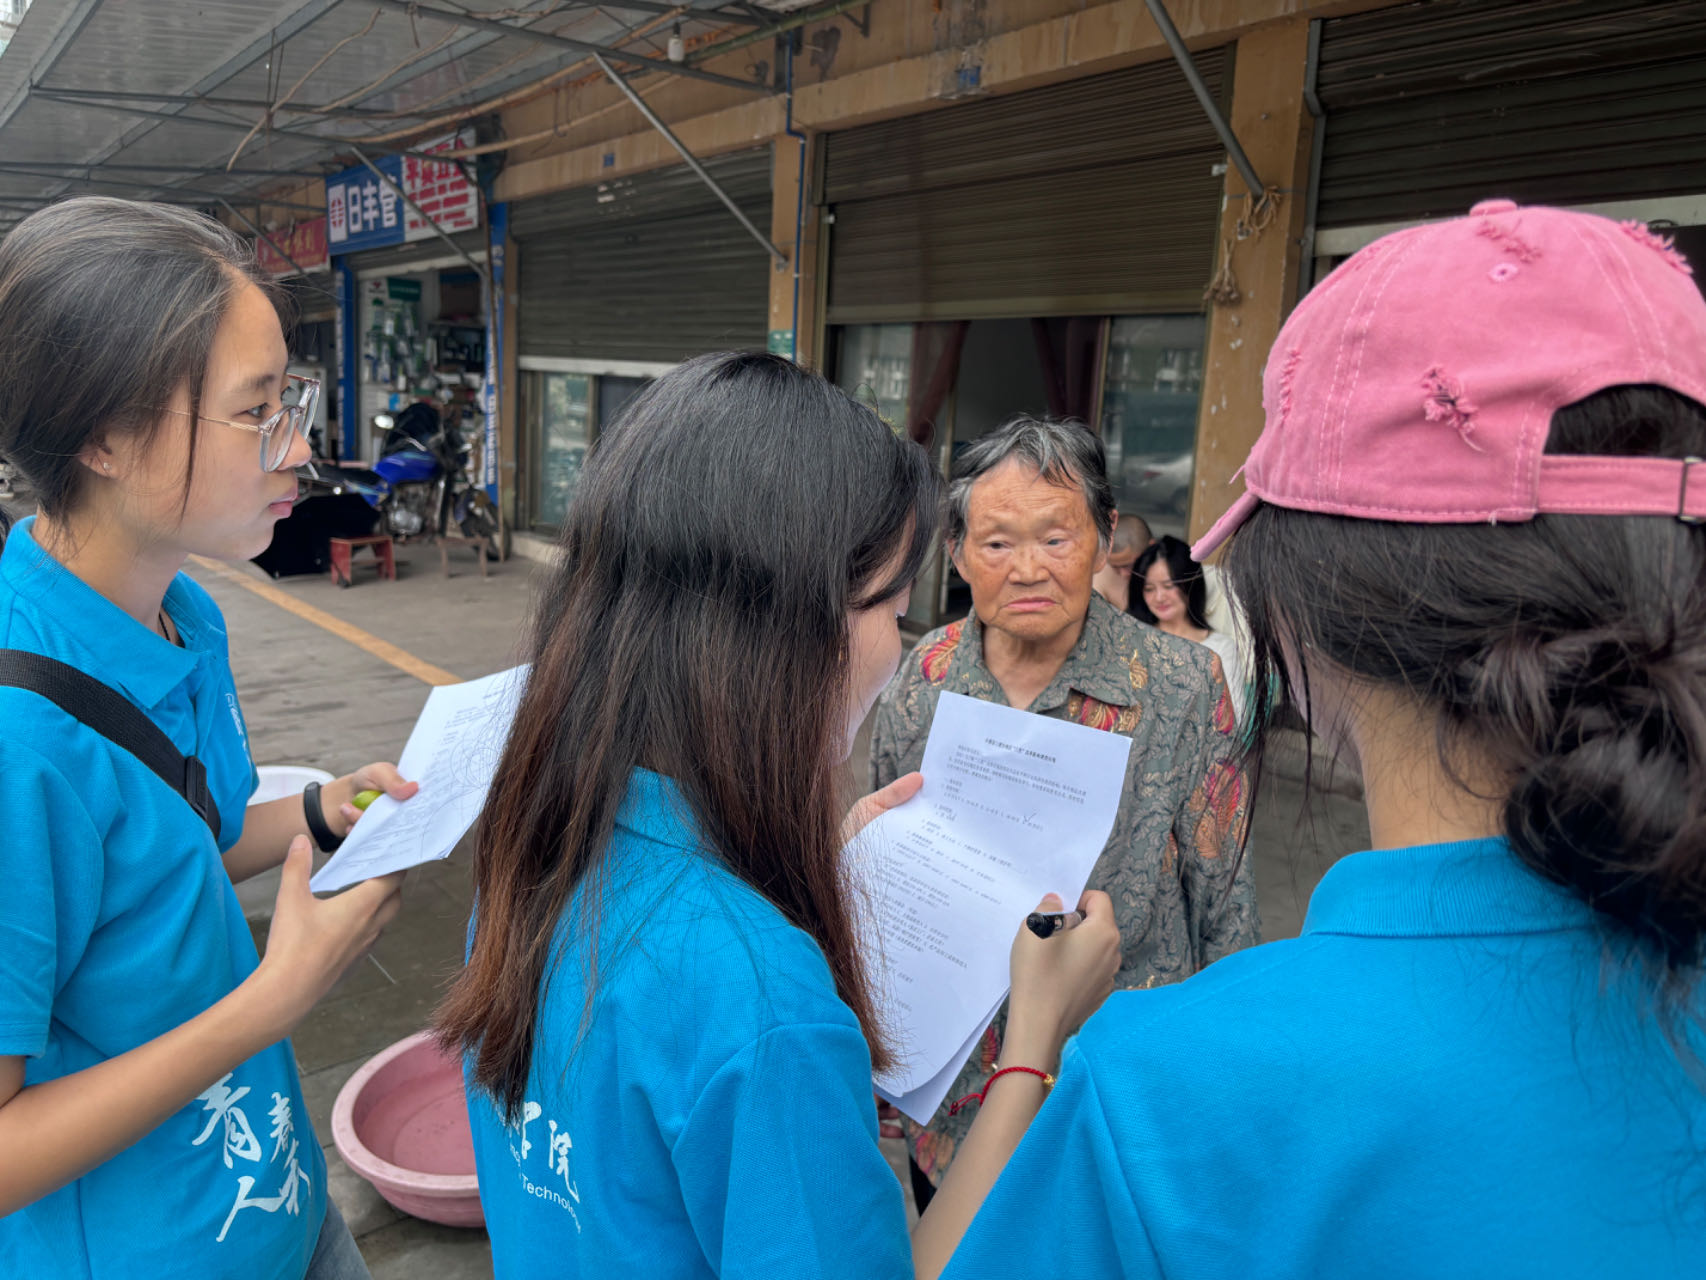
x: 1091, y: 197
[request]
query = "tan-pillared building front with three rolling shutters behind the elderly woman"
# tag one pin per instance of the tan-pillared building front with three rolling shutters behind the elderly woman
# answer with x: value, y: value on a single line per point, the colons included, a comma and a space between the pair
x: 972, y: 209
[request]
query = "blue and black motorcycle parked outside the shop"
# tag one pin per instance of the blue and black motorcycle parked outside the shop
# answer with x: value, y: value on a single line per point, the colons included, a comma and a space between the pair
x: 422, y: 482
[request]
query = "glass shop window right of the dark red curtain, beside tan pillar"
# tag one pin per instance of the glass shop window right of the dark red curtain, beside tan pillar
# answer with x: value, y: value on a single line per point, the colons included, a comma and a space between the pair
x: 1151, y: 392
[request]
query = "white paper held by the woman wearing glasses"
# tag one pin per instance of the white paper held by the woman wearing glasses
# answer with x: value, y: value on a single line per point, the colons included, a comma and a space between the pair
x: 453, y: 753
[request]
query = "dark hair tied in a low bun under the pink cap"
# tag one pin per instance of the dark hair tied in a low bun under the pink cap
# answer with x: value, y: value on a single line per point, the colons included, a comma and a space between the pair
x: 1567, y: 651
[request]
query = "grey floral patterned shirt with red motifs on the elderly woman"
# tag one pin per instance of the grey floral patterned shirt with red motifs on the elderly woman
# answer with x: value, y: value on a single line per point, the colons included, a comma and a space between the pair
x: 1183, y: 893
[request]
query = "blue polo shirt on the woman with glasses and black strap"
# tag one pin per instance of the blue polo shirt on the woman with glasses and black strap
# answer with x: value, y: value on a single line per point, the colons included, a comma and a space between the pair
x: 119, y: 924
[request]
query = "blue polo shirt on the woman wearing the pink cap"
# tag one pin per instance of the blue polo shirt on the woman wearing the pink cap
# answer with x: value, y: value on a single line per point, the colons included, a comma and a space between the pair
x: 1449, y: 1074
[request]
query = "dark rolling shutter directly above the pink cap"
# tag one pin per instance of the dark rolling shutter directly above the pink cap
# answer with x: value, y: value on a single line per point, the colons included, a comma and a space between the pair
x: 1434, y: 107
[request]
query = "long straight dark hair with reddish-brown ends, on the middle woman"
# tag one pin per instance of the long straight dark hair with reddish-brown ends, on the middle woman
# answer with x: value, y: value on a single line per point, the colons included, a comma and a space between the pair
x: 724, y: 528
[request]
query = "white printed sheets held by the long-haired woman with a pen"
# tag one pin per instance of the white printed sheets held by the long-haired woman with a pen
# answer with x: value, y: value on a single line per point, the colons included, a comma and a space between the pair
x: 1014, y: 806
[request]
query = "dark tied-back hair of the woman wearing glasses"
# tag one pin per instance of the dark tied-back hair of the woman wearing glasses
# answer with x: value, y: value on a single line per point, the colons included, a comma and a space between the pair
x: 107, y: 310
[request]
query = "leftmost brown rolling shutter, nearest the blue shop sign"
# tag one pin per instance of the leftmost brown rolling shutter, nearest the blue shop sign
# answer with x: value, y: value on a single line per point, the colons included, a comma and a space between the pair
x: 646, y: 269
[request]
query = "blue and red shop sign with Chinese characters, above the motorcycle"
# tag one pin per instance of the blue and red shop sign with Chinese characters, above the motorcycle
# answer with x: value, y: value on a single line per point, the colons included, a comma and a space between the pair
x: 363, y: 212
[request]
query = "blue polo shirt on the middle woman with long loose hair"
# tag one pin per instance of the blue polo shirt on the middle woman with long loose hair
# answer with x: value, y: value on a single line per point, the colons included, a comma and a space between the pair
x: 712, y: 1114
